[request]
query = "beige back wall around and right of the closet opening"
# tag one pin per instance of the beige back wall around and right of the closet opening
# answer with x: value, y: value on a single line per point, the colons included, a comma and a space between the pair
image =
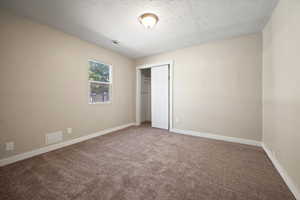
x: 217, y: 87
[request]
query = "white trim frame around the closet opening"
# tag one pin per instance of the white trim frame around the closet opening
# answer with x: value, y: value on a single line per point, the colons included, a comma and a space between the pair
x: 138, y: 90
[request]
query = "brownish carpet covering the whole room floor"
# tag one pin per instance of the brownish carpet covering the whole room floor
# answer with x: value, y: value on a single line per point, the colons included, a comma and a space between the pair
x: 142, y: 163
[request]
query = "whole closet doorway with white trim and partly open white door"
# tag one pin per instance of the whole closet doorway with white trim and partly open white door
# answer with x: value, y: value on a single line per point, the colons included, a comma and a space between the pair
x: 154, y: 95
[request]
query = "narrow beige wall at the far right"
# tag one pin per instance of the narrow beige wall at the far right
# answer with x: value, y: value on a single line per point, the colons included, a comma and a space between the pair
x: 281, y: 87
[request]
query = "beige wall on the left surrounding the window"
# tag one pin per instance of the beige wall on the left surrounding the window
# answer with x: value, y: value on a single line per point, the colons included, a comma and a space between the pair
x: 44, y: 88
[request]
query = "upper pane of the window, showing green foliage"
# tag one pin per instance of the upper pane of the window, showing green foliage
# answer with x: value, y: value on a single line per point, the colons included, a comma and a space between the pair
x: 99, y: 72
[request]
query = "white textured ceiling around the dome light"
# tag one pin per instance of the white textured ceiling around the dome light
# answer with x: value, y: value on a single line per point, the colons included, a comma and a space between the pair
x: 182, y: 22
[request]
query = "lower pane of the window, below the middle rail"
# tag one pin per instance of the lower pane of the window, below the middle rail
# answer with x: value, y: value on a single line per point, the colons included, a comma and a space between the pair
x: 99, y: 92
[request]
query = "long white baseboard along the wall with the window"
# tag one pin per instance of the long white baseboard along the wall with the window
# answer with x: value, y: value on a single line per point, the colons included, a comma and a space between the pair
x: 45, y: 149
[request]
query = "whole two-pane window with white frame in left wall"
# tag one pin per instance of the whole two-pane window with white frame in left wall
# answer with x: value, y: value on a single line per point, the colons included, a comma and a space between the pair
x: 99, y: 82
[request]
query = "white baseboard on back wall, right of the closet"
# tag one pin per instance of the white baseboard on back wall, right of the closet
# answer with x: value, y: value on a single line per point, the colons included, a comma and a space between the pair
x: 217, y: 137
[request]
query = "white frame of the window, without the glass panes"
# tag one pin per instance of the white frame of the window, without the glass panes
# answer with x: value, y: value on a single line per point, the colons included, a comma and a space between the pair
x: 100, y: 82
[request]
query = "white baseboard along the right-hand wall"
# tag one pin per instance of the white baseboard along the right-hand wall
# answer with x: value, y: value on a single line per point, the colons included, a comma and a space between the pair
x: 290, y: 183
